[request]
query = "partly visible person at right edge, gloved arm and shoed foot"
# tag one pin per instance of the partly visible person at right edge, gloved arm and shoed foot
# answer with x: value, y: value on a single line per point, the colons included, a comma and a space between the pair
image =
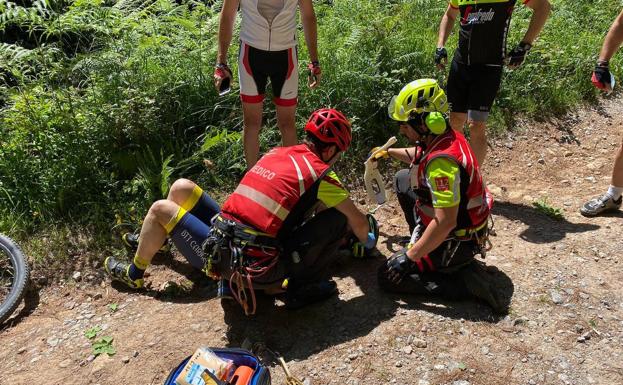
x: 604, y: 80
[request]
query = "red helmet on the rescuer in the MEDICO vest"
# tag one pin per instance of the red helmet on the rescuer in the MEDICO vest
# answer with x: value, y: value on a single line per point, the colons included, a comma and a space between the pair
x: 330, y: 126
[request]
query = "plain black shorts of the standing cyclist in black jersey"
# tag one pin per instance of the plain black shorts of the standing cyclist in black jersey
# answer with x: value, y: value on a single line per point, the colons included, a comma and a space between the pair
x: 472, y: 89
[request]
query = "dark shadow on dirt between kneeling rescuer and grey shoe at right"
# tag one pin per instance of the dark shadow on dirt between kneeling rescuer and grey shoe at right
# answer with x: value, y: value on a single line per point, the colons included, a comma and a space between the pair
x: 541, y: 228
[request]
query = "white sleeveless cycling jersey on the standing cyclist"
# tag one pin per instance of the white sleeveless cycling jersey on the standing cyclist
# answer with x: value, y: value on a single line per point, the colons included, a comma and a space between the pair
x: 275, y: 35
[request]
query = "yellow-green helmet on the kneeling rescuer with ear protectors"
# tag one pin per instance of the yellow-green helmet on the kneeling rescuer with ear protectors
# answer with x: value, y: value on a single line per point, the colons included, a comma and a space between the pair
x: 422, y: 95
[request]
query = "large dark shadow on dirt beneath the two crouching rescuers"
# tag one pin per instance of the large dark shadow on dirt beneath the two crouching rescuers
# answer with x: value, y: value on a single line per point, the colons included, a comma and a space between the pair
x: 302, y: 333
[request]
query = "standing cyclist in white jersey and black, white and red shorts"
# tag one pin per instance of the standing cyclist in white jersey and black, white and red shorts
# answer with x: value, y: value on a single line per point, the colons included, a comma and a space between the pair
x: 268, y: 50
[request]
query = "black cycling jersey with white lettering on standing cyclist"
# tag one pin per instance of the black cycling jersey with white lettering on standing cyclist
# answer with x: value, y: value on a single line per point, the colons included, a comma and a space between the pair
x: 484, y: 26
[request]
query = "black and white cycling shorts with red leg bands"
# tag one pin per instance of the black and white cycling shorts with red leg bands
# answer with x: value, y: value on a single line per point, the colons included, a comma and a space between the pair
x: 256, y: 66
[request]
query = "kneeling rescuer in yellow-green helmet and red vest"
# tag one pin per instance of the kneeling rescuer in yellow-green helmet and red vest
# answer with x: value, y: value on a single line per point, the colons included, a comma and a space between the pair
x: 449, y: 209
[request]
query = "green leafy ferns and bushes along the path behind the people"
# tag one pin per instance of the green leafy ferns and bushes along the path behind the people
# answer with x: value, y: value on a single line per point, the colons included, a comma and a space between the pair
x: 103, y: 105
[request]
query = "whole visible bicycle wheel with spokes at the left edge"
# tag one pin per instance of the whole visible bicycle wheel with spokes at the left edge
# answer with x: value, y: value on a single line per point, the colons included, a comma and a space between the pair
x: 14, y: 273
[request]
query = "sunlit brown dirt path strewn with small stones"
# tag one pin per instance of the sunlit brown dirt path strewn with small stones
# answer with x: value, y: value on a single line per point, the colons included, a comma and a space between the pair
x: 565, y: 324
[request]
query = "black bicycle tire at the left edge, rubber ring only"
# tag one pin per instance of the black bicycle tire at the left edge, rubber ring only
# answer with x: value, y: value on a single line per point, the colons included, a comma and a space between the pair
x: 20, y: 280
